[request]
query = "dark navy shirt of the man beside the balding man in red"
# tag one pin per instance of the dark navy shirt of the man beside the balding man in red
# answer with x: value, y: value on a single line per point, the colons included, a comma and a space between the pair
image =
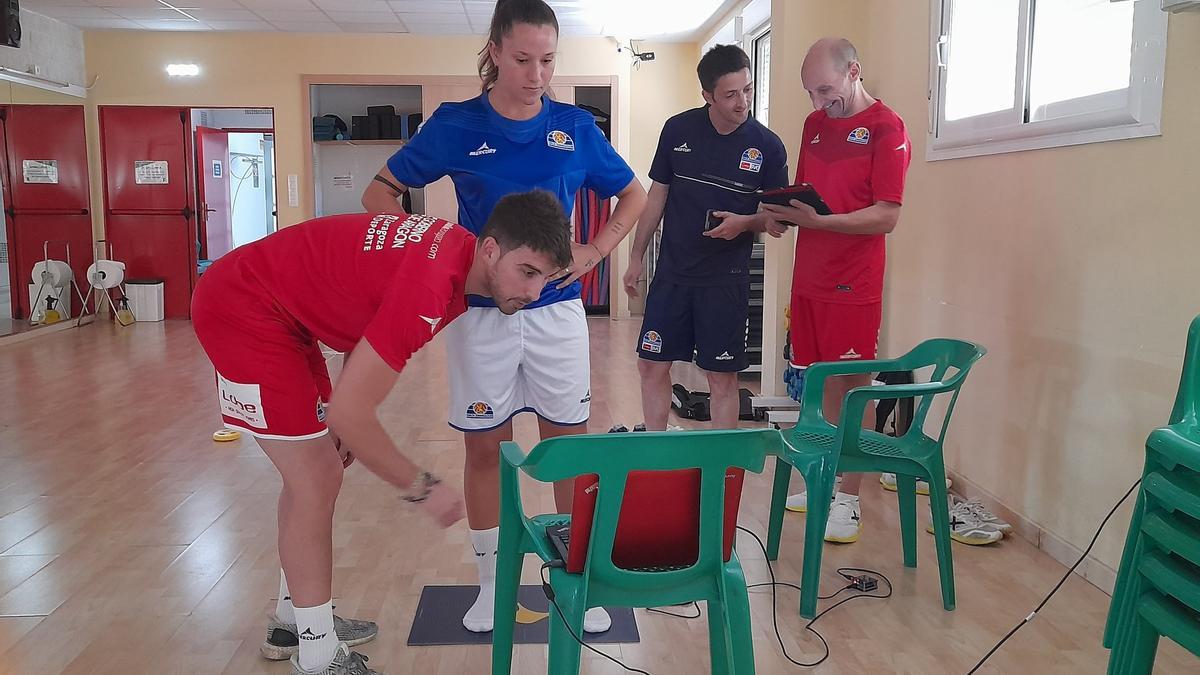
x: 707, y: 171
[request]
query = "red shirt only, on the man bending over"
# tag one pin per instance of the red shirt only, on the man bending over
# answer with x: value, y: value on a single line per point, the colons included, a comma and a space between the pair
x: 393, y: 280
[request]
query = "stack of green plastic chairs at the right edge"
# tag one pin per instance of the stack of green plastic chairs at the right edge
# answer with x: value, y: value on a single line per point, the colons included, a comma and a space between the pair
x: 1159, y: 584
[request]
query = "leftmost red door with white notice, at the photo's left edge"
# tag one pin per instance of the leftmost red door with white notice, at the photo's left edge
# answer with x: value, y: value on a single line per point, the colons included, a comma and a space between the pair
x: 47, y: 196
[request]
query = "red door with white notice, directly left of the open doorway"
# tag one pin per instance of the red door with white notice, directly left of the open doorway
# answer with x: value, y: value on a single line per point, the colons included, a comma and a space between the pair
x: 148, y: 201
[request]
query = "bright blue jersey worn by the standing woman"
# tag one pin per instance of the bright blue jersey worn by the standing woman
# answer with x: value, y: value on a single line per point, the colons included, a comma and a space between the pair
x: 489, y: 157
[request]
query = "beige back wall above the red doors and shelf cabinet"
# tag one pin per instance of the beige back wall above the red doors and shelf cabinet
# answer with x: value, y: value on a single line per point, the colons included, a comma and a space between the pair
x: 265, y: 70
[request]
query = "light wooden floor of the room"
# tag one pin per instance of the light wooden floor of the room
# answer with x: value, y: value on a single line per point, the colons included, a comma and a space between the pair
x: 131, y: 543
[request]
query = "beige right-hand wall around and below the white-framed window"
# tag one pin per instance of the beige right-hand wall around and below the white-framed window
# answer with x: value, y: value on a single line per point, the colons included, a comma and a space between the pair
x: 1076, y: 267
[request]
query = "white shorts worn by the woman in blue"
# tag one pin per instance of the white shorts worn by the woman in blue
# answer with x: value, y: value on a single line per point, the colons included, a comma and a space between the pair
x: 535, y: 361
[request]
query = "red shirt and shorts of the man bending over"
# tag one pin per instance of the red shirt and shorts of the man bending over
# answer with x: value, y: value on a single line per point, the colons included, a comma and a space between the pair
x: 261, y: 309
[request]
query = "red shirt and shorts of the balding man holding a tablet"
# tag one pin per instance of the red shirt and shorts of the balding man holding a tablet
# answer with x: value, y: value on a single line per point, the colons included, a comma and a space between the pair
x: 854, y: 164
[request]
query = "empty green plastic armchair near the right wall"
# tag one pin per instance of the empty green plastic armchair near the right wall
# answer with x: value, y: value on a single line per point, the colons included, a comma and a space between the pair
x: 819, y: 451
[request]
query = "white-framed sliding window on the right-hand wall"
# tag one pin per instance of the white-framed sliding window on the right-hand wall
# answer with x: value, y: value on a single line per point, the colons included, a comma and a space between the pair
x: 1019, y: 75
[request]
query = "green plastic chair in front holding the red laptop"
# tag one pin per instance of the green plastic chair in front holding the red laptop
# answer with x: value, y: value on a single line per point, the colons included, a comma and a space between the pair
x: 613, y: 457
